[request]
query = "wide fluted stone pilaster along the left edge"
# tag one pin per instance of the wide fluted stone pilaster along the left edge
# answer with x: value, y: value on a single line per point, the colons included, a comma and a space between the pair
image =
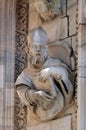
x: 7, y: 45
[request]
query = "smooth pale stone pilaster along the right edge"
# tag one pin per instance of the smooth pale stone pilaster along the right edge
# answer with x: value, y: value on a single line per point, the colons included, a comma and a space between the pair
x: 82, y: 67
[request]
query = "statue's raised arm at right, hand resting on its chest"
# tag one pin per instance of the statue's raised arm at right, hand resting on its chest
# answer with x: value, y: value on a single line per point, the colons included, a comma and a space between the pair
x: 61, y: 76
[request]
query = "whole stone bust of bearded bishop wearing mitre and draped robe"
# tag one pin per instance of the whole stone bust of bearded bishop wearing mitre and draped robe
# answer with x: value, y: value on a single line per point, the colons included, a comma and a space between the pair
x: 45, y: 85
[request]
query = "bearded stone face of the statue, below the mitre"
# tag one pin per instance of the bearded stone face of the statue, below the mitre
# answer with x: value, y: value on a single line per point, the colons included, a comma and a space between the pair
x: 38, y: 54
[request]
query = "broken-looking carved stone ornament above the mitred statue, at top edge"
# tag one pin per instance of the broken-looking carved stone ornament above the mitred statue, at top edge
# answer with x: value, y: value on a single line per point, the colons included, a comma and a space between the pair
x: 48, y: 9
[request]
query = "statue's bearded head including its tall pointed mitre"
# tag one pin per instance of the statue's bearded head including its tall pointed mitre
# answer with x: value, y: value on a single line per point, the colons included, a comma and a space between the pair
x: 38, y: 50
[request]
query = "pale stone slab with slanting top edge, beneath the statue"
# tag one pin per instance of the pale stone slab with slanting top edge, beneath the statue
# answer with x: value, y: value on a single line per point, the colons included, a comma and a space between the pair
x: 65, y: 123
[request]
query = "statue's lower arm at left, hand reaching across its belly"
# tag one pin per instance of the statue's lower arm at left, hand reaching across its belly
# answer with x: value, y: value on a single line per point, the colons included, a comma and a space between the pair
x: 31, y: 97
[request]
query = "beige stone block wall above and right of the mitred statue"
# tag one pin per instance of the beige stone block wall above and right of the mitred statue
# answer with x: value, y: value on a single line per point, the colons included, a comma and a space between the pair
x: 62, y: 29
